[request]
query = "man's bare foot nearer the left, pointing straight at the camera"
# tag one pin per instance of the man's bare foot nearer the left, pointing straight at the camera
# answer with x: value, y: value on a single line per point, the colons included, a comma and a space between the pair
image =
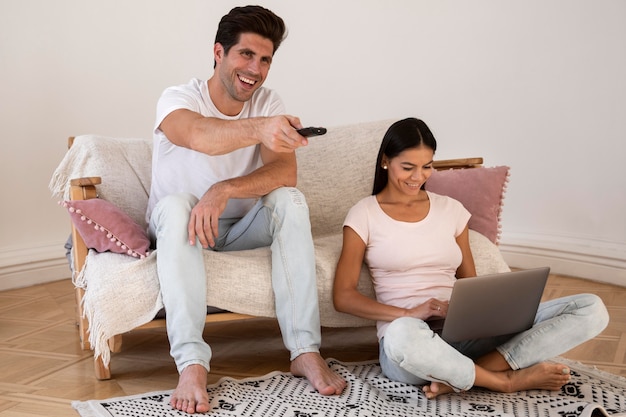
x: 190, y: 395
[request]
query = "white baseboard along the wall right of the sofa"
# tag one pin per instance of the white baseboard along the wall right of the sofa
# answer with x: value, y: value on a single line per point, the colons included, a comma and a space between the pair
x: 593, y: 260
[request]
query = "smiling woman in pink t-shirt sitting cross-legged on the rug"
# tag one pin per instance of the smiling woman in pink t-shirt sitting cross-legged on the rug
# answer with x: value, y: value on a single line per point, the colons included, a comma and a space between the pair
x: 416, y: 245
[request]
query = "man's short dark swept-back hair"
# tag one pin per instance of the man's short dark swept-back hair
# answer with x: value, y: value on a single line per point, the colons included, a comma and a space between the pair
x: 250, y: 19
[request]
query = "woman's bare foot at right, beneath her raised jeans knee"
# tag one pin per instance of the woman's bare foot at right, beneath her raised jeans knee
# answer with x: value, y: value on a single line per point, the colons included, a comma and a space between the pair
x: 544, y: 375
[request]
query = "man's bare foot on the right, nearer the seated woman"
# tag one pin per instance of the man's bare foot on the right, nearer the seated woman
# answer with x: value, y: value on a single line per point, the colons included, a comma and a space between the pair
x: 314, y: 368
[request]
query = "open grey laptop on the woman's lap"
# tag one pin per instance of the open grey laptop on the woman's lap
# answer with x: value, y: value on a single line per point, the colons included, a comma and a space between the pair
x: 492, y: 305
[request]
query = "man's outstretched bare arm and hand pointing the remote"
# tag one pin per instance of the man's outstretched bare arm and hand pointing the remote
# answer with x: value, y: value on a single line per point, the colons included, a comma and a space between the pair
x: 214, y: 136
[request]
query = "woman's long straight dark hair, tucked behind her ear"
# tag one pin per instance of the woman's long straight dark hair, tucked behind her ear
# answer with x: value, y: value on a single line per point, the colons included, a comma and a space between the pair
x: 402, y: 135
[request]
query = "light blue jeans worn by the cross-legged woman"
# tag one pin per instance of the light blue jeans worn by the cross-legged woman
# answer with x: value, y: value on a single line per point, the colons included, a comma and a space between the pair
x: 412, y: 353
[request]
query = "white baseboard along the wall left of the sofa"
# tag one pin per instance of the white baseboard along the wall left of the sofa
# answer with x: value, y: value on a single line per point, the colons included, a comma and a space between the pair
x: 23, y: 267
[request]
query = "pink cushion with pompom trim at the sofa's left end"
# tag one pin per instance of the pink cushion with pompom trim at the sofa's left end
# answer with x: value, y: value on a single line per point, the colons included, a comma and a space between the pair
x: 104, y: 227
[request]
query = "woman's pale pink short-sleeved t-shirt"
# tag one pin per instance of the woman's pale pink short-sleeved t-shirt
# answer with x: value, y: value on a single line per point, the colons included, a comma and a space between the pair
x: 410, y: 262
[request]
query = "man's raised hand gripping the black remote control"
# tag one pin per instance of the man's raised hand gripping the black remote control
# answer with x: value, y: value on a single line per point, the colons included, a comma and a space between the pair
x: 279, y: 134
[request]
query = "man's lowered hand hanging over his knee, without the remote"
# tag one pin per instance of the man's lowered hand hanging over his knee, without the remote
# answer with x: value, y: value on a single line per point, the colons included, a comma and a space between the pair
x: 204, y: 218
